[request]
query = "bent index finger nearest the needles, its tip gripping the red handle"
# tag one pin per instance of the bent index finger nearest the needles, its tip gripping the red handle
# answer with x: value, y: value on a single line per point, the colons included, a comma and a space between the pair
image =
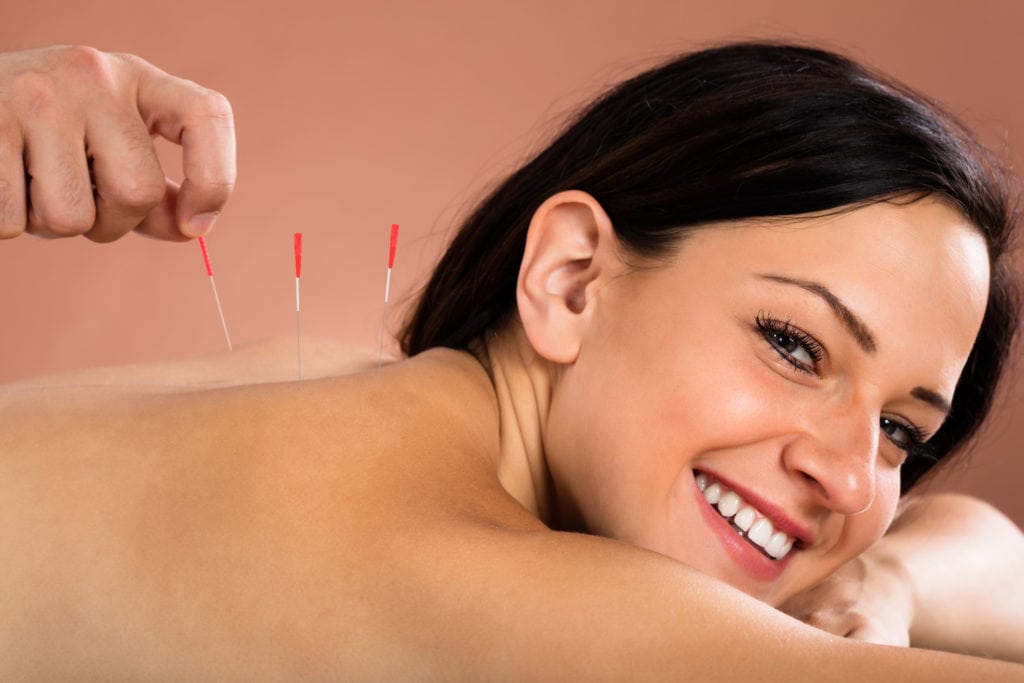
x: 200, y: 120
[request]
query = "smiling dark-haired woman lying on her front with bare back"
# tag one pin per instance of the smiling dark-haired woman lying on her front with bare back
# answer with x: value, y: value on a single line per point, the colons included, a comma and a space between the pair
x: 672, y: 374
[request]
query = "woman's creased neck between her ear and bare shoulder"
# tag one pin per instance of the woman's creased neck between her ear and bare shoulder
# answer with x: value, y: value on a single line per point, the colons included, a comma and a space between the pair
x: 523, y: 382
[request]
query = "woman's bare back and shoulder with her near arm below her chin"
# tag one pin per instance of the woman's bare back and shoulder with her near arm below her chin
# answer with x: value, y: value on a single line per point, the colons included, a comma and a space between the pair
x: 349, y: 528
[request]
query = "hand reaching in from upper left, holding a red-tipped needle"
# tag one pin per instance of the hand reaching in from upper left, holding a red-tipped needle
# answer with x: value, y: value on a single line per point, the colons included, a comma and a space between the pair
x: 77, y: 154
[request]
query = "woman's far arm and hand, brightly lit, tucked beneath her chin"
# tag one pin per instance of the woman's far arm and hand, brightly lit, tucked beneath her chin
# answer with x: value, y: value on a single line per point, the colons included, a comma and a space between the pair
x: 947, y: 577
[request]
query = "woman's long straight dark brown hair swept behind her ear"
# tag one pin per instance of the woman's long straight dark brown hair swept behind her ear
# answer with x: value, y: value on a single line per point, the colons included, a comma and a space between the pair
x: 740, y: 132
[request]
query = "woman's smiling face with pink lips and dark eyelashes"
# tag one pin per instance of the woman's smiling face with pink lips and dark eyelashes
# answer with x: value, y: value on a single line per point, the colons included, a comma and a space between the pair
x: 786, y: 368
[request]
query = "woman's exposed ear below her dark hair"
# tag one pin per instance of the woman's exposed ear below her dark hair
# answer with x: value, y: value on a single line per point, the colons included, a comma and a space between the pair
x: 571, y: 250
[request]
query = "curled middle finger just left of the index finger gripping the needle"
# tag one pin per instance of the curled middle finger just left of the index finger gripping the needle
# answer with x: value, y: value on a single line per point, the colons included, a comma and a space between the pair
x: 130, y: 183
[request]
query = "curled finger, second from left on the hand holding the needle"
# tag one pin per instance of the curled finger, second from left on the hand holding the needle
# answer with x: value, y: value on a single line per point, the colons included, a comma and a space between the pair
x: 61, y: 202
